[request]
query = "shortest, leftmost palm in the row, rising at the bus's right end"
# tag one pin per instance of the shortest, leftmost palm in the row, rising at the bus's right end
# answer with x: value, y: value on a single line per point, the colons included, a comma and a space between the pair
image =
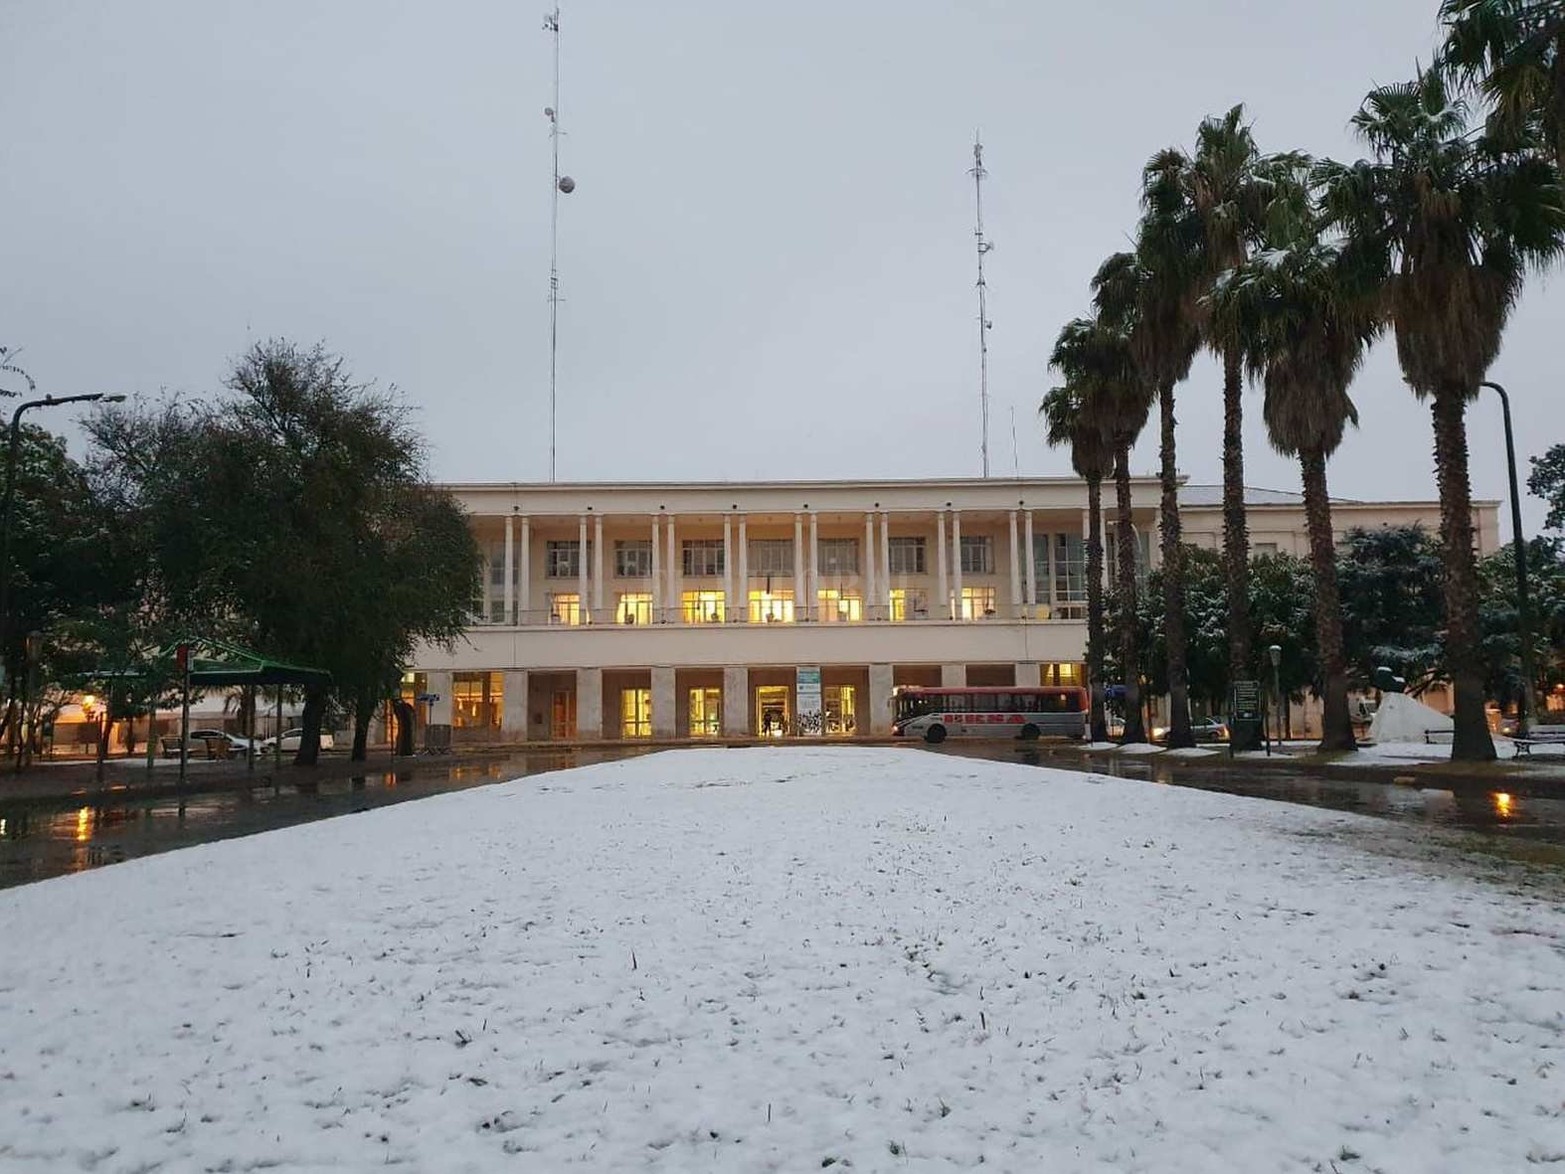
x: 1071, y: 420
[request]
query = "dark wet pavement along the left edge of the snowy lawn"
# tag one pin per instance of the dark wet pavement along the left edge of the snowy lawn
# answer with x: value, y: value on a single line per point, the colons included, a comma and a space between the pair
x: 40, y: 840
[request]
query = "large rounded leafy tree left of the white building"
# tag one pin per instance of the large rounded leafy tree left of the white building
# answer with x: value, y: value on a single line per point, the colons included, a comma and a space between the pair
x: 293, y: 517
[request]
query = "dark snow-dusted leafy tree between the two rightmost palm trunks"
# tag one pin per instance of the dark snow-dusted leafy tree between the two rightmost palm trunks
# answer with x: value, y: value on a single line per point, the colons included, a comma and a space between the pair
x: 1392, y: 605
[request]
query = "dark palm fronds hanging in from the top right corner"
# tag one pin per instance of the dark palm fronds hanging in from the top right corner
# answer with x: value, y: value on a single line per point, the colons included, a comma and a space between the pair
x: 1514, y: 52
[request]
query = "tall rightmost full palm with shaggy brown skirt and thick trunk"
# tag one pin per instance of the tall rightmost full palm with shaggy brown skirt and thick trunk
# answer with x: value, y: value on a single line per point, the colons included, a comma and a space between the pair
x: 1452, y: 225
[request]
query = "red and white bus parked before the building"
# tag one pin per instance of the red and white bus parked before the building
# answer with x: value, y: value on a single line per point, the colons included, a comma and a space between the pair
x: 1013, y: 711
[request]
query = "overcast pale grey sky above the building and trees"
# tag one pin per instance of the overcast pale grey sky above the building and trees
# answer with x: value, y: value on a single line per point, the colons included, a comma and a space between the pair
x: 768, y: 261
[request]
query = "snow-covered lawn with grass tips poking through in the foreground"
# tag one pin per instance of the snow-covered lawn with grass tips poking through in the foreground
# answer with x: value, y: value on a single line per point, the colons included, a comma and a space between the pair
x: 791, y: 960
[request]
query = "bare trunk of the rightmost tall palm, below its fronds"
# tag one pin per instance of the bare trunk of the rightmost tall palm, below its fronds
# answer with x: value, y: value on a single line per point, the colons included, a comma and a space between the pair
x: 1470, y: 741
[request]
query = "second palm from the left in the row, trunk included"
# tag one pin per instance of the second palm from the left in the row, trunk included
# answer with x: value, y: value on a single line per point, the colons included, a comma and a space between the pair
x: 1101, y: 350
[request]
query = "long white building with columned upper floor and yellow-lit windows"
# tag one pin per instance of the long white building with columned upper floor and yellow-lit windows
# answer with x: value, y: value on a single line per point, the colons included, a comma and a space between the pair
x: 688, y: 611
